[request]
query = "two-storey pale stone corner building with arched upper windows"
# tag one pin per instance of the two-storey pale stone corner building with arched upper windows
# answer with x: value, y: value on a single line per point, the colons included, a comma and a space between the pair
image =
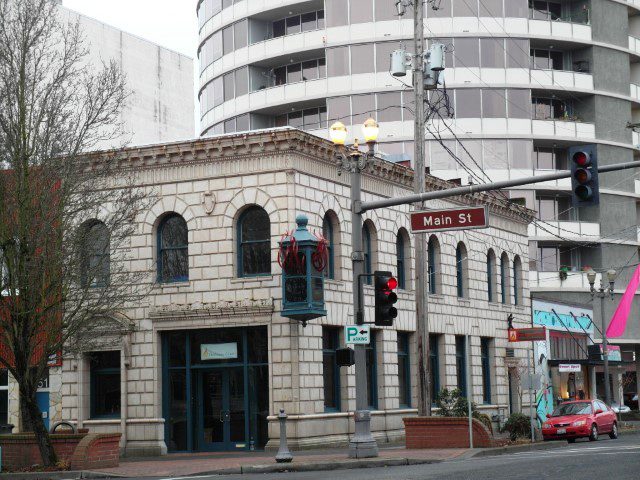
x: 211, y: 360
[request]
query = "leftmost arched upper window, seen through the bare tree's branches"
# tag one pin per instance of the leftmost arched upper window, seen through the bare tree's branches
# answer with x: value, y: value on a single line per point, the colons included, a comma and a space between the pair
x: 95, y: 261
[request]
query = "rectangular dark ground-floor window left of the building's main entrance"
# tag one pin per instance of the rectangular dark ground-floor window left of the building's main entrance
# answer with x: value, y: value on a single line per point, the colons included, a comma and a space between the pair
x: 105, y: 384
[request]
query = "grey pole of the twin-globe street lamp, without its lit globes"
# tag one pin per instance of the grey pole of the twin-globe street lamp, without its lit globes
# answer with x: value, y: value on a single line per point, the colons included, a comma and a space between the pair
x: 362, y: 443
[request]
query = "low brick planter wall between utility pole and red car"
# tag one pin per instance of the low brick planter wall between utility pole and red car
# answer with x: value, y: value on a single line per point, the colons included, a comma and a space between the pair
x: 445, y: 432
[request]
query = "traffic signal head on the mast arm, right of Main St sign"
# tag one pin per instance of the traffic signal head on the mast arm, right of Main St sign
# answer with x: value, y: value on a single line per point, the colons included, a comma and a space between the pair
x: 584, y: 175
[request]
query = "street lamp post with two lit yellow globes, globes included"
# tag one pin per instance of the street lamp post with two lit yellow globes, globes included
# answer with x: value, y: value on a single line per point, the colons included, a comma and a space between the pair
x: 353, y: 161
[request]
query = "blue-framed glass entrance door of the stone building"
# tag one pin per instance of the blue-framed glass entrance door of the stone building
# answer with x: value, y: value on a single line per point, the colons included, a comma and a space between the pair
x: 222, y: 424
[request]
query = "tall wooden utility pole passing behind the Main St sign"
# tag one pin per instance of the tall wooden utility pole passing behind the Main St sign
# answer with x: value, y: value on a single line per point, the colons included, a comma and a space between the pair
x: 422, y: 299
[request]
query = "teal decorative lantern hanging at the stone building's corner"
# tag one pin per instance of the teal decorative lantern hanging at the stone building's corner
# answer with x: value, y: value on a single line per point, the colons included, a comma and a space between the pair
x: 303, y: 257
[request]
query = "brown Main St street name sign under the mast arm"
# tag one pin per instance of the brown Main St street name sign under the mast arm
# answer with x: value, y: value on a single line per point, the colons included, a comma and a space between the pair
x: 451, y: 219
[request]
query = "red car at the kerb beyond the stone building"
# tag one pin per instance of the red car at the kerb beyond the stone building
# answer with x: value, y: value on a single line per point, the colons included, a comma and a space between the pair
x: 580, y: 419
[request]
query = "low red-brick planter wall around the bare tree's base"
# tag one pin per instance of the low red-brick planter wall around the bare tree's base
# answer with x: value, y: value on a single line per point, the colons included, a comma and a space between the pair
x: 83, y: 451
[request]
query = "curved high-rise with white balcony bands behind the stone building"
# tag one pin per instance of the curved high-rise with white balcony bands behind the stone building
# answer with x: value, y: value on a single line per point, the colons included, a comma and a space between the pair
x: 525, y: 80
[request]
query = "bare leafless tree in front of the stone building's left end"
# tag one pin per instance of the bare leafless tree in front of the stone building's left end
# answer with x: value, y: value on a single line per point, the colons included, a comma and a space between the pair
x: 66, y: 215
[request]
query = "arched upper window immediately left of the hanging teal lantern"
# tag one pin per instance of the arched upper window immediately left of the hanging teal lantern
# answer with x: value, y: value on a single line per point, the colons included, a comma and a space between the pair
x: 254, y: 243
